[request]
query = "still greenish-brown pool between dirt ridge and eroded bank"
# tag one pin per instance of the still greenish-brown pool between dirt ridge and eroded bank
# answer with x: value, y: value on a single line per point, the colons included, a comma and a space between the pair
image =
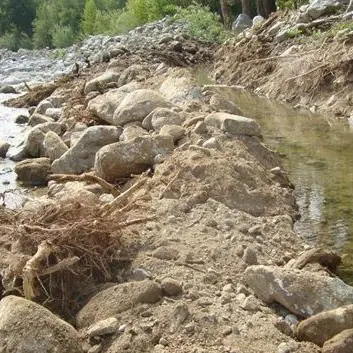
x: 318, y: 155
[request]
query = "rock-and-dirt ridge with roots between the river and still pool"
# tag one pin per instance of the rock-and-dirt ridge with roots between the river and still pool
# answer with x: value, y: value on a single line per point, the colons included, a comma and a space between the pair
x: 168, y: 224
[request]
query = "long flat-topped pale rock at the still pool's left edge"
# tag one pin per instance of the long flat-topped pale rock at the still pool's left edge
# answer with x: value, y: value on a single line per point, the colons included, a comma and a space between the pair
x: 233, y: 124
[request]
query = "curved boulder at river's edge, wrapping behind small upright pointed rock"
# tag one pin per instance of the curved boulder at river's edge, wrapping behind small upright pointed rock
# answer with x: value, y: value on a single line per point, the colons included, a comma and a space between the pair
x: 35, y: 138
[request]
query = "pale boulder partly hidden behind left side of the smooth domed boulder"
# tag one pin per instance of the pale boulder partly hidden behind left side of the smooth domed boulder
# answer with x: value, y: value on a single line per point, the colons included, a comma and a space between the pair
x: 104, y: 105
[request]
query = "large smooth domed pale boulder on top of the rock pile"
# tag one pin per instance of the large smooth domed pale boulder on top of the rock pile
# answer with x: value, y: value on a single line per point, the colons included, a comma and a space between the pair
x: 137, y: 105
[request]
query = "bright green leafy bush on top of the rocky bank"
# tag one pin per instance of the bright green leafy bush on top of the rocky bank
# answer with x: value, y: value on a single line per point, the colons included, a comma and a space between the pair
x: 202, y: 23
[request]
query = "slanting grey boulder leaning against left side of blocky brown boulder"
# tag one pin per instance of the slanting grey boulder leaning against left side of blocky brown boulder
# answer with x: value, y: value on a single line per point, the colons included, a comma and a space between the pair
x: 81, y: 156
